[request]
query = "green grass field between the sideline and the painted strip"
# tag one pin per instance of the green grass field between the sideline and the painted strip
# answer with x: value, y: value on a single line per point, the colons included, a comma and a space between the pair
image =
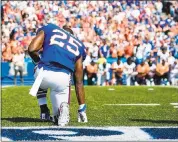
x: 21, y: 109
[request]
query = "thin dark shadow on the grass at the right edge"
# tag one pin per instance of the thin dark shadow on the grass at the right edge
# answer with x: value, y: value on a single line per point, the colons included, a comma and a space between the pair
x: 155, y: 121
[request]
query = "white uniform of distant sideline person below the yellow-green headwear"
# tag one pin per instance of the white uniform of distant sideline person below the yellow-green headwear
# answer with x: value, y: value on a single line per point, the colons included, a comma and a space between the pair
x: 103, y: 74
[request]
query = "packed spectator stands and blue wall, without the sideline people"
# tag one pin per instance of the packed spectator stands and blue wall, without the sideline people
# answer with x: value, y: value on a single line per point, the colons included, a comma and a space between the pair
x: 115, y: 30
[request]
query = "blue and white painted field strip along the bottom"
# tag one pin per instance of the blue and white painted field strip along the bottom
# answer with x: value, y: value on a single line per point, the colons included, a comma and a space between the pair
x: 88, y: 133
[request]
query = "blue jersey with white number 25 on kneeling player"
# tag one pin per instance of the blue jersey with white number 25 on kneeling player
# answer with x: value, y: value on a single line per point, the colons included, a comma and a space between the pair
x: 60, y: 47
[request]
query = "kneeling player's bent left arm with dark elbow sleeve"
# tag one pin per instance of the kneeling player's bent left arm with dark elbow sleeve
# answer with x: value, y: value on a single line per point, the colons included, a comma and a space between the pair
x: 35, y: 46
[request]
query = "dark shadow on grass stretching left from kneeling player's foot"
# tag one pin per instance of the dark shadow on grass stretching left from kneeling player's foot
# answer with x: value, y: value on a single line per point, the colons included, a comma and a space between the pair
x: 23, y: 119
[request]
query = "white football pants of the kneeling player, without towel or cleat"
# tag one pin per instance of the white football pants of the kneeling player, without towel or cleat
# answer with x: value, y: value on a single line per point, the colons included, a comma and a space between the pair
x: 59, y: 84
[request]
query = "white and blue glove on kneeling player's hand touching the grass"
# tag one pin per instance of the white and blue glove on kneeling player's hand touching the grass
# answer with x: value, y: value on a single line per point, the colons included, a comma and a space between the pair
x: 82, y: 117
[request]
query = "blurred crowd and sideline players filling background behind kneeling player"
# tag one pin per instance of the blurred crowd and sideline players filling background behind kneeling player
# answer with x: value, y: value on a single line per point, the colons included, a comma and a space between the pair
x: 128, y: 42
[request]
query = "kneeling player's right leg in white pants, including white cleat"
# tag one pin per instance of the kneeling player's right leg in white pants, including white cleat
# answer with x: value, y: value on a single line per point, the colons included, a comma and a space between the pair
x: 60, y: 97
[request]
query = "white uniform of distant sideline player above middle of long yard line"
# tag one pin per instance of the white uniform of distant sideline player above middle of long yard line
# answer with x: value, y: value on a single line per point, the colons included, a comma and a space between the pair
x: 129, y: 72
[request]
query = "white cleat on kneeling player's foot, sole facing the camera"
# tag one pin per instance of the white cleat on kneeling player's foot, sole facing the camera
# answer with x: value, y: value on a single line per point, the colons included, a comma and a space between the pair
x: 63, y: 117
